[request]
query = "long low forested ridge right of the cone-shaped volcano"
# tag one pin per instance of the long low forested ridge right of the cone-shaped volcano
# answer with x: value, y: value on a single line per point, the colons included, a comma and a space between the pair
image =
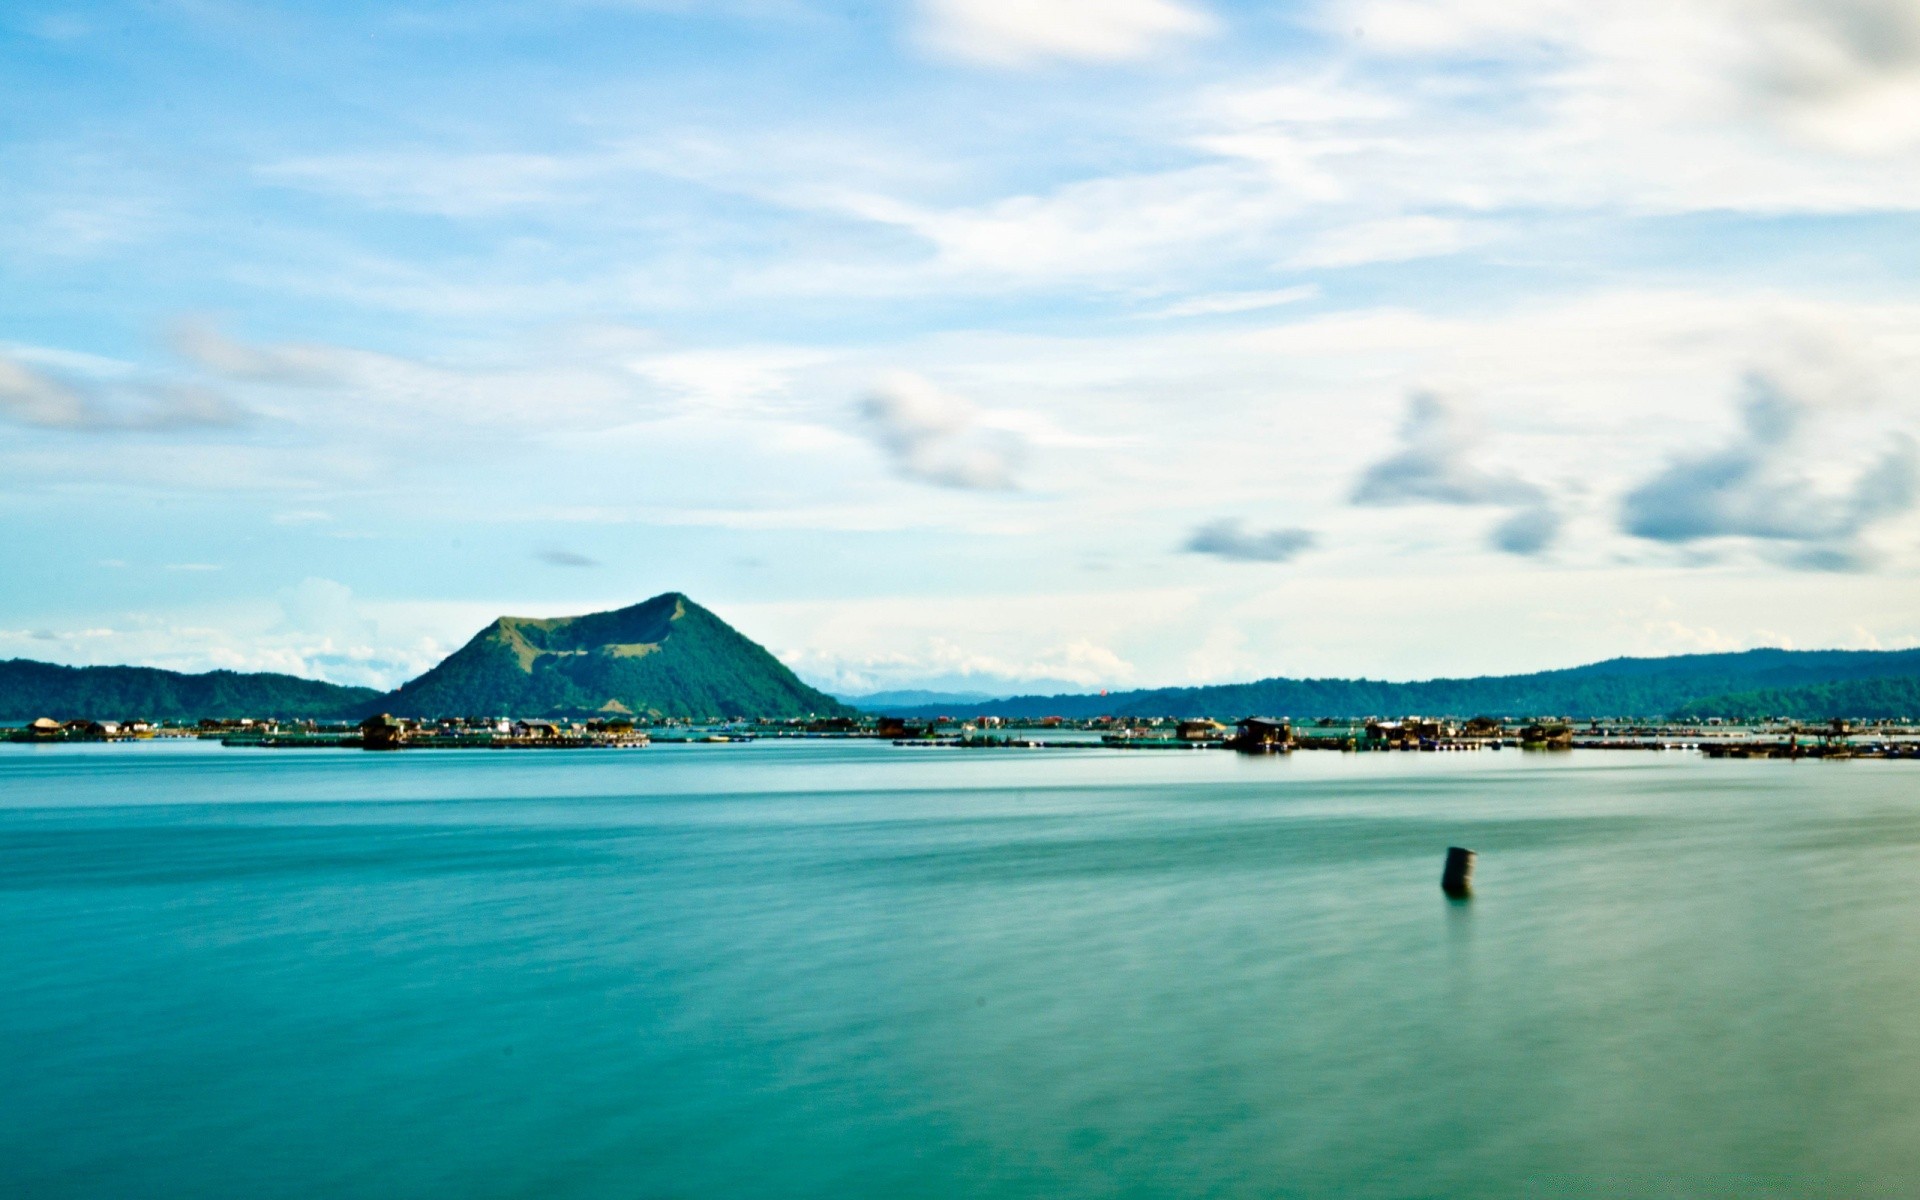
x: 1612, y: 688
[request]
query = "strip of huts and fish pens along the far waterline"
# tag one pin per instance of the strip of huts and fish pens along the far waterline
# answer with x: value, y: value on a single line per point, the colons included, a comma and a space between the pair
x: 1251, y: 736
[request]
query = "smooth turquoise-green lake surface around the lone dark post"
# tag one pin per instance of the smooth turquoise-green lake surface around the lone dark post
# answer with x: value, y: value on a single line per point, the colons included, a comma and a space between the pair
x: 857, y: 971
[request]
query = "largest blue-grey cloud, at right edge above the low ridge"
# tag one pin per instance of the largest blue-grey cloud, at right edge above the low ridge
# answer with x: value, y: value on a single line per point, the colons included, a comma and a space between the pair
x: 1758, y: 489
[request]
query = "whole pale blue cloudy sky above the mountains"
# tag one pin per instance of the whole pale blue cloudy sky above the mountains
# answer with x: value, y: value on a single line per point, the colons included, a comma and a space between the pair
x: 974, y: 345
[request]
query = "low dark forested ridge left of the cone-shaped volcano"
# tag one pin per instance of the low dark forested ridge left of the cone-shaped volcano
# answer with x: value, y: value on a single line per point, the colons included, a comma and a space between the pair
x: 30, y: 690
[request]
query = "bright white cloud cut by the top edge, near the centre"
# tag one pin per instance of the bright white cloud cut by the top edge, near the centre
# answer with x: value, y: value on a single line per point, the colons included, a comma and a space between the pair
x: 1013, y: 34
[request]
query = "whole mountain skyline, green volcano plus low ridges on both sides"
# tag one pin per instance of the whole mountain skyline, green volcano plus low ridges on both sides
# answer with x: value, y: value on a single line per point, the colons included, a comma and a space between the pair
x: 669, y: 658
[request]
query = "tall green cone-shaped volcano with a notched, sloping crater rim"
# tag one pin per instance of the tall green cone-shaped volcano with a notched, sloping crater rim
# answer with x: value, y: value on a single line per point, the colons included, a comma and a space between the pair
x: 661, y: 658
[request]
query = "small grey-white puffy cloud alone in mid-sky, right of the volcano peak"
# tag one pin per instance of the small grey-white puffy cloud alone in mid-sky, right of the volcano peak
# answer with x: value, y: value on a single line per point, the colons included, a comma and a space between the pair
x: 940, y: 439
